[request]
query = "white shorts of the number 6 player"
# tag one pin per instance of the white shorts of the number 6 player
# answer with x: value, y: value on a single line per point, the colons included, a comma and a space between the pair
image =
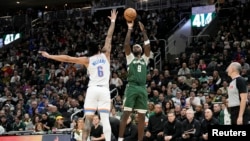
x: 97, y: 98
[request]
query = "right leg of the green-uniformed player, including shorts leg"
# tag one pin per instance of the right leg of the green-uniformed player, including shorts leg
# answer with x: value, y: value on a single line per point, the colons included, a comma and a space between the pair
x: 141, y: 108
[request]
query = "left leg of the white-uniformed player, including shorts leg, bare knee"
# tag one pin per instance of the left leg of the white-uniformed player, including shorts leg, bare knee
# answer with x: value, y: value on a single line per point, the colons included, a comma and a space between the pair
x: 90, y: 107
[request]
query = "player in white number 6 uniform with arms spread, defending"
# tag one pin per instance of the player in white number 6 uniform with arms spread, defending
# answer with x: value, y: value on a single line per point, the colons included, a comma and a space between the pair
x: 98, y: 66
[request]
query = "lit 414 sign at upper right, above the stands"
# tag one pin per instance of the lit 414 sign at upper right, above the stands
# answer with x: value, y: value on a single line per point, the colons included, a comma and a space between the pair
x: 202, y: 15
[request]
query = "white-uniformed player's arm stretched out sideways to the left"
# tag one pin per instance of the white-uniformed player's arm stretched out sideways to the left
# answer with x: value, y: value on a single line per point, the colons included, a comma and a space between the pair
x: 66, y: 58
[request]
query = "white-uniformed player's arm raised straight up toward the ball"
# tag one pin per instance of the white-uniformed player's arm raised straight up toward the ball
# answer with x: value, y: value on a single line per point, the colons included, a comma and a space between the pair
x: 107, y: 46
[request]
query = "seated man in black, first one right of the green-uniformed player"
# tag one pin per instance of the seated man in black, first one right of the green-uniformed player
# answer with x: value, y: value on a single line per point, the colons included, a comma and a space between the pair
x: 155, y: 125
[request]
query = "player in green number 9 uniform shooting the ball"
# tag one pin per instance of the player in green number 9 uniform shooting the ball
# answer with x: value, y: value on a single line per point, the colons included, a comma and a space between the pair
x: 136, y: 96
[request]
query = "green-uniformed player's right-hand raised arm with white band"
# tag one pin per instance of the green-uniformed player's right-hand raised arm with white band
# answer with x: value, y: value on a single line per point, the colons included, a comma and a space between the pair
x: 146, y: 44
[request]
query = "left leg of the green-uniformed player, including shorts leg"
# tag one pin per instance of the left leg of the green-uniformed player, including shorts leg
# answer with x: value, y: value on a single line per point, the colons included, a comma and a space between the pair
x: 129, y: 102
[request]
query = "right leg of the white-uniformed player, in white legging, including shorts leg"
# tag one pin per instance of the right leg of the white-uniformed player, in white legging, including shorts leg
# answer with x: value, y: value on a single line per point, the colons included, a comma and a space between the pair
x: 104, y: 106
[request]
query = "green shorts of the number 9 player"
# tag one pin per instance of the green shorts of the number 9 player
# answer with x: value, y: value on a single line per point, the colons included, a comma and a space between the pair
x: 136, y: 97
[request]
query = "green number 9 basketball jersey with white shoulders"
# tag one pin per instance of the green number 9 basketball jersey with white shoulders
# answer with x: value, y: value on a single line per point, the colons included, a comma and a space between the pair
x: 137, y: 70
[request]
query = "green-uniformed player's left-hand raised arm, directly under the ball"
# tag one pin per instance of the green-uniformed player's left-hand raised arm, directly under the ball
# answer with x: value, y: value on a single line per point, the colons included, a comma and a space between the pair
x: 127, y: 39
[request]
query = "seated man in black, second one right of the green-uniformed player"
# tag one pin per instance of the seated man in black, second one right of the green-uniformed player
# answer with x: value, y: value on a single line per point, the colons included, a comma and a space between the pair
x: 172, y: 128
